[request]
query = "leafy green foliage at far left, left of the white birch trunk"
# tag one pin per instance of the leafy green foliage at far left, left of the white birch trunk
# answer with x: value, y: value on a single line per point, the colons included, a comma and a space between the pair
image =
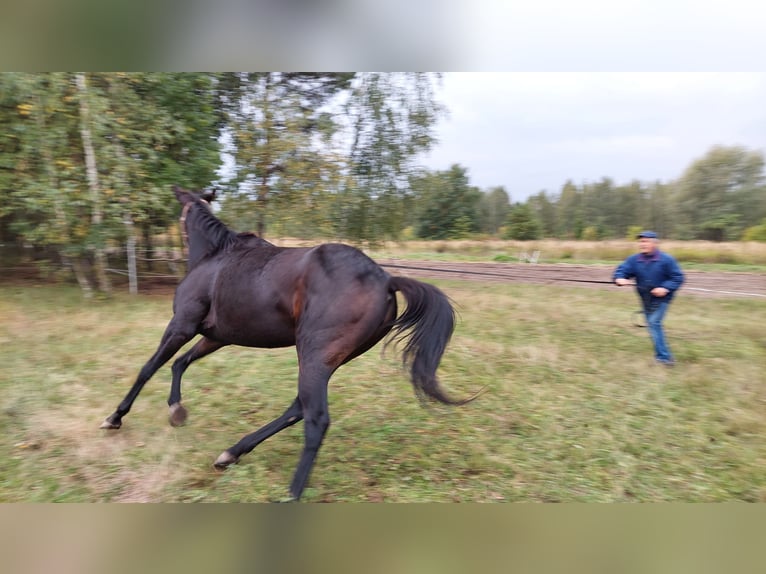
x: 47, y: 204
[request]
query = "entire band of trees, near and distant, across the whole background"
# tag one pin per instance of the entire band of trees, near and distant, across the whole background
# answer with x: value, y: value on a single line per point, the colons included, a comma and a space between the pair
x: 87, y: 162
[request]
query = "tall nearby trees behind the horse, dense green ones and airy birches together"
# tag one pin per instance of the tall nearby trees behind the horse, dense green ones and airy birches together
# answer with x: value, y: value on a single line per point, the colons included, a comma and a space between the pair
x: 87, y: 161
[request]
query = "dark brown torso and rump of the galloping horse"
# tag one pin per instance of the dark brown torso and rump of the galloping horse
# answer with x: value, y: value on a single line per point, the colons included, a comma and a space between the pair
x: 265, y: 296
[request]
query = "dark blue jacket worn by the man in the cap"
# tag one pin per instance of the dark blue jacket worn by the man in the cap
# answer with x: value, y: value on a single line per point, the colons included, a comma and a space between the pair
x: 656, y: 270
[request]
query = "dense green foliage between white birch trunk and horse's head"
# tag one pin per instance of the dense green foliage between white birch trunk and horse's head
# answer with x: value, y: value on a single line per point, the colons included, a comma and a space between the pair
x: 160, y: 130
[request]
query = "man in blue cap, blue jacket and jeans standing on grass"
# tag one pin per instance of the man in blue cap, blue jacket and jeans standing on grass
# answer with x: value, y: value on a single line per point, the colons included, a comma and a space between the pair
x: 657, y: 278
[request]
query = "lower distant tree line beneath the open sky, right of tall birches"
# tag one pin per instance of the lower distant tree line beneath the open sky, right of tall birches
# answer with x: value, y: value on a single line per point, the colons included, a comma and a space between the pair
x: 719, y: 197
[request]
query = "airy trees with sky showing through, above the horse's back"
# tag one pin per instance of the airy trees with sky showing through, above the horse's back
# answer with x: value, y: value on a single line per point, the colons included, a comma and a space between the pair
x: 325, y: 153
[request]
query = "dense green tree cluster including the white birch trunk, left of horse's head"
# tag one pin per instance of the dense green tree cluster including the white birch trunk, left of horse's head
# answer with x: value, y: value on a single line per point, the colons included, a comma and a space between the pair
x: 89, y: 155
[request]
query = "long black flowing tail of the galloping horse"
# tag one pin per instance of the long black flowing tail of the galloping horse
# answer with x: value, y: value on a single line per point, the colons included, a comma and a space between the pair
x: 430, y: 320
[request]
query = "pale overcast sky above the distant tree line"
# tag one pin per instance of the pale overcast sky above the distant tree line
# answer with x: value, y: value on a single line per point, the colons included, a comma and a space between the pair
x: 533, y: 131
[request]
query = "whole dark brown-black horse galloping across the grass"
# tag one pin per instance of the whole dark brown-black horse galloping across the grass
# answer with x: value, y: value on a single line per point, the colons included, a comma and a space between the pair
x: 331, y: 301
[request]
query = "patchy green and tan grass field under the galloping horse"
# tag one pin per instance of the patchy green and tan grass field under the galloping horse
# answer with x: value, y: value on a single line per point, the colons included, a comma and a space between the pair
x: 574, y: 409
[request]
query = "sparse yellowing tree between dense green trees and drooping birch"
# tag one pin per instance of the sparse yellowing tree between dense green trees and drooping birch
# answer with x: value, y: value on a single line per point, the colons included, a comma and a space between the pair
x: 282, y: 129
